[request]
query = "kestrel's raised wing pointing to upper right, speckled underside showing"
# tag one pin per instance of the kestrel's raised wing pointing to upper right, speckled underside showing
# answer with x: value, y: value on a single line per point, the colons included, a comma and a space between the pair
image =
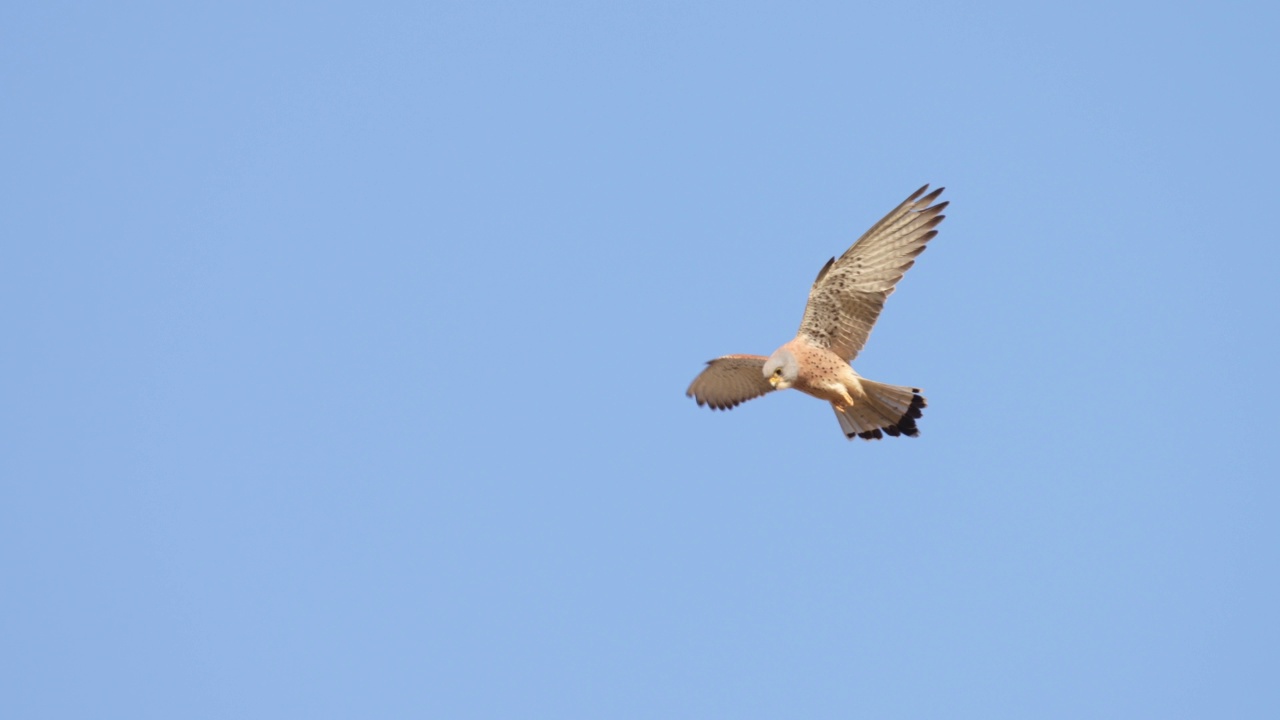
x: 851, y: 291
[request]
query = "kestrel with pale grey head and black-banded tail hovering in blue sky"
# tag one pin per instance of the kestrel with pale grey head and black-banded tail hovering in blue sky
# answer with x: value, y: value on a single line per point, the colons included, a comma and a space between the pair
x: 844, y: 304
